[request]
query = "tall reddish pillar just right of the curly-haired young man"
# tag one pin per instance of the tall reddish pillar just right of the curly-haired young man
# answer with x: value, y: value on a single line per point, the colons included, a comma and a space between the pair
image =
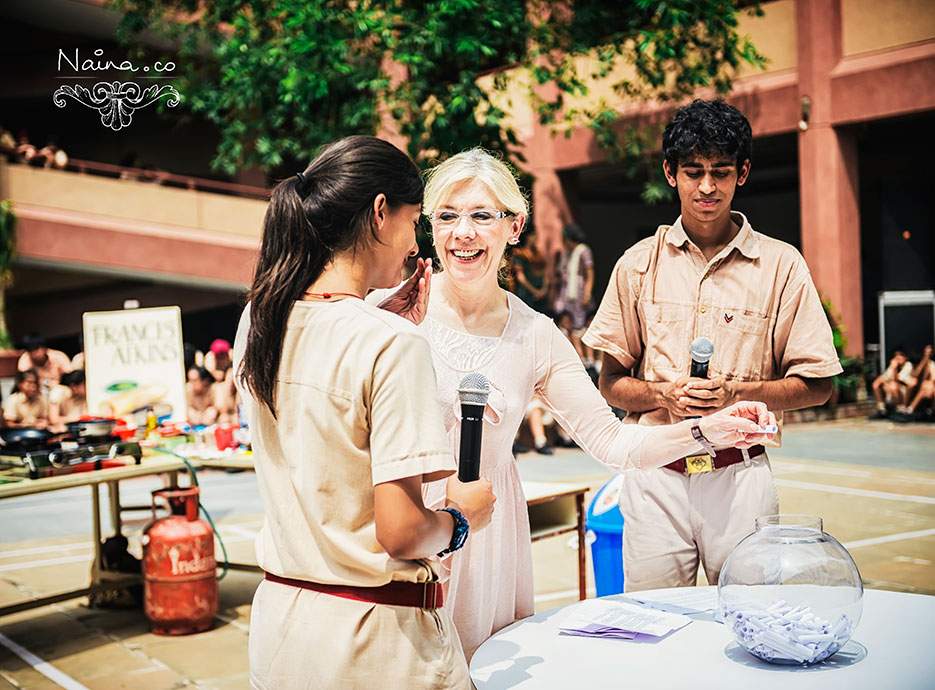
x: 828, y: 182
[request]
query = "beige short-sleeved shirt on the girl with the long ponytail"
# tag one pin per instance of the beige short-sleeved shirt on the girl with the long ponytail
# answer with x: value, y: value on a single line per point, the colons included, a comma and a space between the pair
x: 356, y: 406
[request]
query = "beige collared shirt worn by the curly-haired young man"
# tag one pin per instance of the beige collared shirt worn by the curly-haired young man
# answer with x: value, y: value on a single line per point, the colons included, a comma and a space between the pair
x: 755, y: 301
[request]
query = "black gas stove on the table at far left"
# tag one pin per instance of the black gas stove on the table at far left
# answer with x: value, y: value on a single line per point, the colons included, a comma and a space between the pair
x: 69, y: 455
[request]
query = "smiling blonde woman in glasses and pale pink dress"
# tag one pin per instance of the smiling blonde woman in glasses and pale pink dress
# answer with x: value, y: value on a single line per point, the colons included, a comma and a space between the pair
x: 473, y: 325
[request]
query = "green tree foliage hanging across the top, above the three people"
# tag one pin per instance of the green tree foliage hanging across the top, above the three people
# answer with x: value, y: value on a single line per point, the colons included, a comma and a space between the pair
x: 280, y: 77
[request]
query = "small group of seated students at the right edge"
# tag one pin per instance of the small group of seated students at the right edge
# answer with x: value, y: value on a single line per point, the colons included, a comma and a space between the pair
x: 905, y: 391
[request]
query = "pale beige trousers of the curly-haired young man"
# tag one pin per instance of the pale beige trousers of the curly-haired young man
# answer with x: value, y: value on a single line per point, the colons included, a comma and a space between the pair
x: 672, y: 522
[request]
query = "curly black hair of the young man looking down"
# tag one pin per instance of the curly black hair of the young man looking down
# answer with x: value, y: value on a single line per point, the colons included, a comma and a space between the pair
x: 709, y: 129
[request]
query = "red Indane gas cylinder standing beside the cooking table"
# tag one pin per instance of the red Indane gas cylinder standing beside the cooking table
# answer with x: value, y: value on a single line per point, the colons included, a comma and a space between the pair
x: 180, y: 590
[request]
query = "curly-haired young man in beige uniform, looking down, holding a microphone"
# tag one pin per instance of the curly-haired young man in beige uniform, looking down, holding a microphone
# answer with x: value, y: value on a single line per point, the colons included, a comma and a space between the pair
x: 709, y: 274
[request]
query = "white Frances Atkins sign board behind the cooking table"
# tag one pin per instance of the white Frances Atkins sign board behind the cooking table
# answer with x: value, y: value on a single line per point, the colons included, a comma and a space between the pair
x: 134, y: 360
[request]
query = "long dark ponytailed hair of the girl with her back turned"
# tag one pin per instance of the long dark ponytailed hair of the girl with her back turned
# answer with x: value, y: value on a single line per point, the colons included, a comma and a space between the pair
x: 311, y: 217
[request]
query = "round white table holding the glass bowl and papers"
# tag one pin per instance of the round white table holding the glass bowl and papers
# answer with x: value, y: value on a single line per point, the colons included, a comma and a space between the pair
x: 892, y: 647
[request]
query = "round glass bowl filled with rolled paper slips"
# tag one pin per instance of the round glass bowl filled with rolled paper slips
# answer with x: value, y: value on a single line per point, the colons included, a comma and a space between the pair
x: 789, y: 592
